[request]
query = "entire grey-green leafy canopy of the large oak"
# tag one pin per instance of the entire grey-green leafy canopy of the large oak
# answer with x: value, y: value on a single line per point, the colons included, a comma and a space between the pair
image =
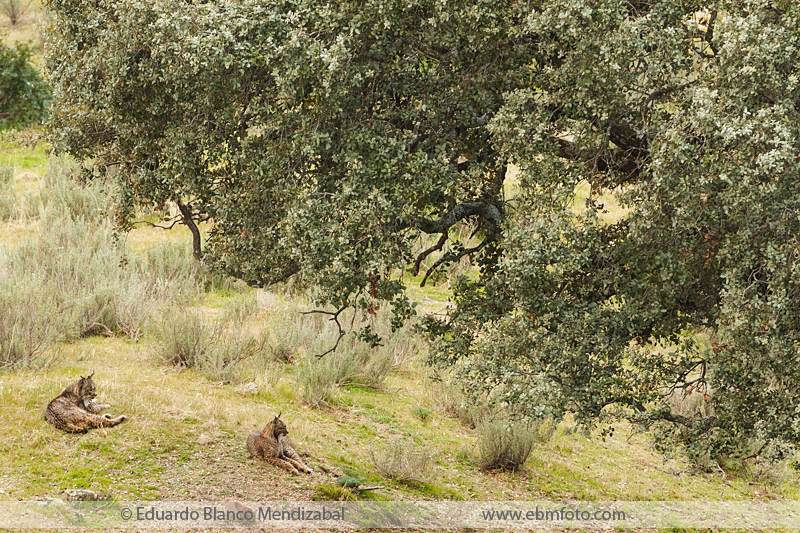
x: 326, y: 140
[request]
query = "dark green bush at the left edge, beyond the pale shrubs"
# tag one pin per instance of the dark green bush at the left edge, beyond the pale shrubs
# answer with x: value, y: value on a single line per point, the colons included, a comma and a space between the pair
x: 23, y: 94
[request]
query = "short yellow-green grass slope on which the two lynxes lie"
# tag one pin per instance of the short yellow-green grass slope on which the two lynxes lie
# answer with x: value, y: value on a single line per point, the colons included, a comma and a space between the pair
x: 185, y: 435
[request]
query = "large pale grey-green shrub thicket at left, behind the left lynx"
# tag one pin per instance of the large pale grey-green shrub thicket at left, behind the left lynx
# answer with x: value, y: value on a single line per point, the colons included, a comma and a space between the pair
x: 75, y: 278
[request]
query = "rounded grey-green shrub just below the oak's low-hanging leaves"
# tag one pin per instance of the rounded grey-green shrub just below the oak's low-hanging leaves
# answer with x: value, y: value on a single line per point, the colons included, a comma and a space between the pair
x: 505, y: 444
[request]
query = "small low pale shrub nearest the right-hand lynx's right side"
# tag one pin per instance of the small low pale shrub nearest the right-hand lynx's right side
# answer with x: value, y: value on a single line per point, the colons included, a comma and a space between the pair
x: 402, y: 461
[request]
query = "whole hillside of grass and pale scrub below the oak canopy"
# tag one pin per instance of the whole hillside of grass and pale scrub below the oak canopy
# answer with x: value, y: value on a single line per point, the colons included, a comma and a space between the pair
x: 186, y: 428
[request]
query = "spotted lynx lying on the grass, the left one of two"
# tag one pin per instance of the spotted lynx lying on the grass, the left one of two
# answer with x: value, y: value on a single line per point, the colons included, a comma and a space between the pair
x: 75, y: 410
